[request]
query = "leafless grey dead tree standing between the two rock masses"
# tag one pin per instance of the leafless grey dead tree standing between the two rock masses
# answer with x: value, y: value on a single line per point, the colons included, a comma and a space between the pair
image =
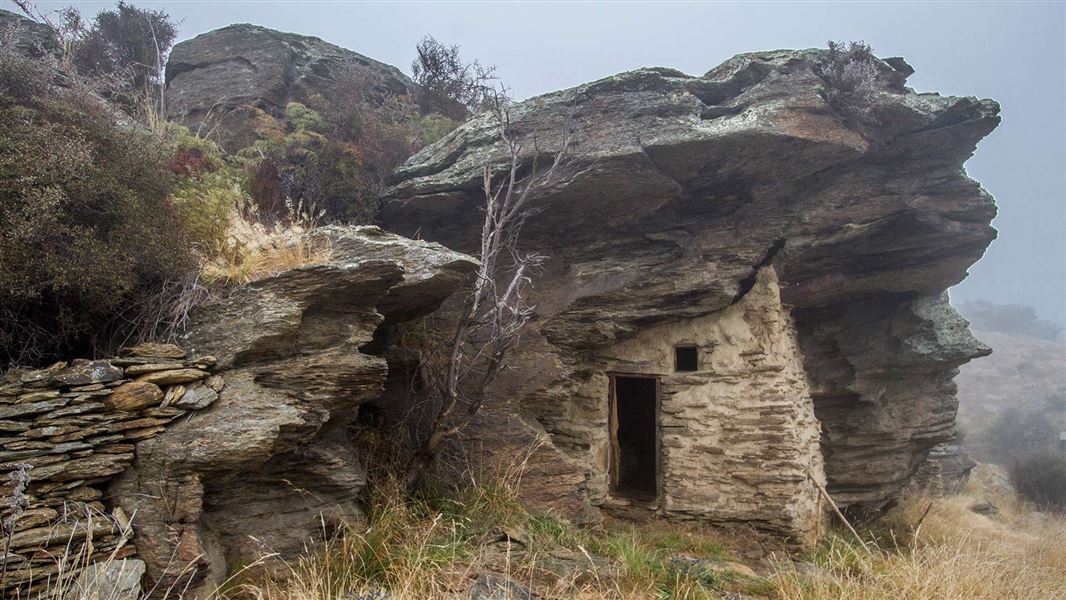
x: 496, y: 307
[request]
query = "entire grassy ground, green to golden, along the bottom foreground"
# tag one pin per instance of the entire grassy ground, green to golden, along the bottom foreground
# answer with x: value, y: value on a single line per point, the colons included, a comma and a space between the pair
x: 433, y: 548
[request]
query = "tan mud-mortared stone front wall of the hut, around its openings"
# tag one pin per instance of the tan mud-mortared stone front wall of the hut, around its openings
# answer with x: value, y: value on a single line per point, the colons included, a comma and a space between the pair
x: 738, y: 435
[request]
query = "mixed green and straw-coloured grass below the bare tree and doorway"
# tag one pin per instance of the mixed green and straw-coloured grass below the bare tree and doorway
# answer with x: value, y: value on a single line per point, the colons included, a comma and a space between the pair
x: 435, y: 545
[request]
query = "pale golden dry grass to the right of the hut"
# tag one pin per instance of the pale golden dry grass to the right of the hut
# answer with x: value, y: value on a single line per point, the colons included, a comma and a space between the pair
x: 952, y: 554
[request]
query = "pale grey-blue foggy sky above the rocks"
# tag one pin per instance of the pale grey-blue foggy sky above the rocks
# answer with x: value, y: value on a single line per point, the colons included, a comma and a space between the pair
x: 1013, y: 53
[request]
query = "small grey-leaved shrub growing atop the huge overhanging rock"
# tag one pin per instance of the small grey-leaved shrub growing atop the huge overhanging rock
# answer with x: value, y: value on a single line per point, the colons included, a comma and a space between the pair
x: 851, y: 79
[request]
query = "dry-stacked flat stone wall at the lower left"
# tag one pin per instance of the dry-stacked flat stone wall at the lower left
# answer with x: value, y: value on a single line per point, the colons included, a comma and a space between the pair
x: 66, y: 432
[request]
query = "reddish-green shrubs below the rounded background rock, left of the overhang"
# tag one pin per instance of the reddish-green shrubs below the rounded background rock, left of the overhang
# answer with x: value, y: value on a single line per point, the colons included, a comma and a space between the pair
x: 337, y: 156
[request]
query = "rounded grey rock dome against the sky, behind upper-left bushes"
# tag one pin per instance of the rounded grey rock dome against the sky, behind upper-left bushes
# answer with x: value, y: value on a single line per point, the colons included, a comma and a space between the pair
x: 223, y: 76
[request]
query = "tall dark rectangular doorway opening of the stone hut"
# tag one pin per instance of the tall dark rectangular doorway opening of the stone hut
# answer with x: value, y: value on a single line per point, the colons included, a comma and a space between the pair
x: 635, y: 436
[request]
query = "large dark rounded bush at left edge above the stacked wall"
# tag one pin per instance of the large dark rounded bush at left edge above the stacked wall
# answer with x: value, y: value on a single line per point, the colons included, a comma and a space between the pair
x: 87, y: 232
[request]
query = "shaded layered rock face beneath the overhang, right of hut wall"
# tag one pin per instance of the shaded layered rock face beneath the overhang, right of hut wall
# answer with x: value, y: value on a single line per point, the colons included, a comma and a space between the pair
x: 882, y: 374
